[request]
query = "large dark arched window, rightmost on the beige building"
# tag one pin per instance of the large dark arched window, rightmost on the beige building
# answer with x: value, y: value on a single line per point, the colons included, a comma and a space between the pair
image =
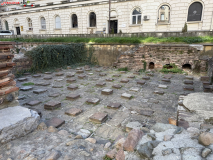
x: 195, y: 12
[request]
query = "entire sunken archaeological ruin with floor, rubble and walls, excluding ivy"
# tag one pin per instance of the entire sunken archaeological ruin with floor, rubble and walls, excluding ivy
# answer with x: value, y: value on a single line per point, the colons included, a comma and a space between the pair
x: 124, y: 108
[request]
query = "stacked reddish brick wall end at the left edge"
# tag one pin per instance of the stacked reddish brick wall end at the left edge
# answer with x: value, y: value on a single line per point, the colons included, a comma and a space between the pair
x: 8, y: 89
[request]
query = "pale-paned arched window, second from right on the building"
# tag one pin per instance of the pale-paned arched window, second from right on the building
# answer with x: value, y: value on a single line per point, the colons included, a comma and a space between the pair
x: 164, y: 14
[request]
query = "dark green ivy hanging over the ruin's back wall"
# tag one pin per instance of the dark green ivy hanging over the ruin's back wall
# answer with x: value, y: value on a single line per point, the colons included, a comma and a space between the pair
x: 54, y: 56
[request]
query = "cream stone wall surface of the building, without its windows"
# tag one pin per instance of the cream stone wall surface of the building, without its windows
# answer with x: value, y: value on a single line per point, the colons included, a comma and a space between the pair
x: 178, y: 14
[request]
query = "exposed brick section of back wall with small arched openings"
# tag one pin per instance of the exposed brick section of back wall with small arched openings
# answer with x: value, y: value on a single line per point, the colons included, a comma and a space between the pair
x: 159, y: 55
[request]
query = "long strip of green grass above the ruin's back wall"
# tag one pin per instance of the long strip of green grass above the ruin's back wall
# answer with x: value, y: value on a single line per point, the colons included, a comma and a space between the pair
x: 118, y: 40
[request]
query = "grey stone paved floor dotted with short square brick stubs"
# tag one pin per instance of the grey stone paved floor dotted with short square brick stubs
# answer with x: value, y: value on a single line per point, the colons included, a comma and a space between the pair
x: 147, y: 105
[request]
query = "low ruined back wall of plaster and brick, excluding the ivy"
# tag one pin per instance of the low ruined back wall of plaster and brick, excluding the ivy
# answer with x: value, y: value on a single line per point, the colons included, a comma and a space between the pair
x: 134, y: 56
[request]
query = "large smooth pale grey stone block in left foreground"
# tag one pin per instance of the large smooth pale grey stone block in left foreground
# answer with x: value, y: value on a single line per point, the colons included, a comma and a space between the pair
x: 17, y: 122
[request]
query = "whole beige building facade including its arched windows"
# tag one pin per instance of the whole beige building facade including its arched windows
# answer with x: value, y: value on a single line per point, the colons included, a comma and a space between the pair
x: 127, y: 16
